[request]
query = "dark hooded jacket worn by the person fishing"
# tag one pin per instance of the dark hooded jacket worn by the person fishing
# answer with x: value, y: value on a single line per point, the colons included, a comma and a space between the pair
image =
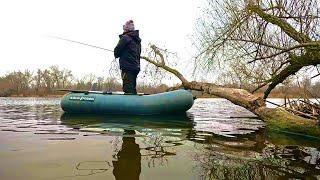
x: 128, y: 50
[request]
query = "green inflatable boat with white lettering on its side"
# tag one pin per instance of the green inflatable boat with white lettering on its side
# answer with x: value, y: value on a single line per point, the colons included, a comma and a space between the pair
x: 110, y: 103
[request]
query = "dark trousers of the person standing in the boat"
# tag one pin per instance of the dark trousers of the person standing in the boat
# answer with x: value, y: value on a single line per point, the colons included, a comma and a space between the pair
x: 129, y: 82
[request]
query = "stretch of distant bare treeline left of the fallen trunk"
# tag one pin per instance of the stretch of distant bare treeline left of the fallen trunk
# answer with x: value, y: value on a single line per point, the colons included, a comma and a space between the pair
x: 44, y: 82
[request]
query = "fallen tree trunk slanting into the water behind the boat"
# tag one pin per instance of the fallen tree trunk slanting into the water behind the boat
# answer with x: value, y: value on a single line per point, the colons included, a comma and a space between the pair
x: 277, y: 119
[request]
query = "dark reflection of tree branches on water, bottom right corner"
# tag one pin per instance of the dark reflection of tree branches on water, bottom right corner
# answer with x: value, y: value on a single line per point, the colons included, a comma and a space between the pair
x: 218, y: 160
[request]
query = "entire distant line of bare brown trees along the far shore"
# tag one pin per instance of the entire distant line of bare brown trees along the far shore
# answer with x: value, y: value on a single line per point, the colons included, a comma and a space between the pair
x: 45, y: 82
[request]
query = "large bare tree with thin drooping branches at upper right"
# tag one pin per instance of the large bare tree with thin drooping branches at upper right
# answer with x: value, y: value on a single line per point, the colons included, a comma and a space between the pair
x: 282, y: 37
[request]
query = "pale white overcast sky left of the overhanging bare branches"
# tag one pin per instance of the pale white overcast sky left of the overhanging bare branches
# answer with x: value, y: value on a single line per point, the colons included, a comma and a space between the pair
x: 26, y: 25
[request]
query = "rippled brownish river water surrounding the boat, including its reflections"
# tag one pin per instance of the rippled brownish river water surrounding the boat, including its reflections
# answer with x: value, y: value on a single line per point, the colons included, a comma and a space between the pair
x: 213, y: 140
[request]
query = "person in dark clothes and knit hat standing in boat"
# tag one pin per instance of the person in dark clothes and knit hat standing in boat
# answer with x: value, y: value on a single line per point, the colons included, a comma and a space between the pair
x: 128, y: 50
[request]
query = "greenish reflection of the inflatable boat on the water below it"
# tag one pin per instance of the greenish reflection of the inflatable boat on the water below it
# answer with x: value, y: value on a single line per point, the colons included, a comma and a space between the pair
x: 168, y: 125
